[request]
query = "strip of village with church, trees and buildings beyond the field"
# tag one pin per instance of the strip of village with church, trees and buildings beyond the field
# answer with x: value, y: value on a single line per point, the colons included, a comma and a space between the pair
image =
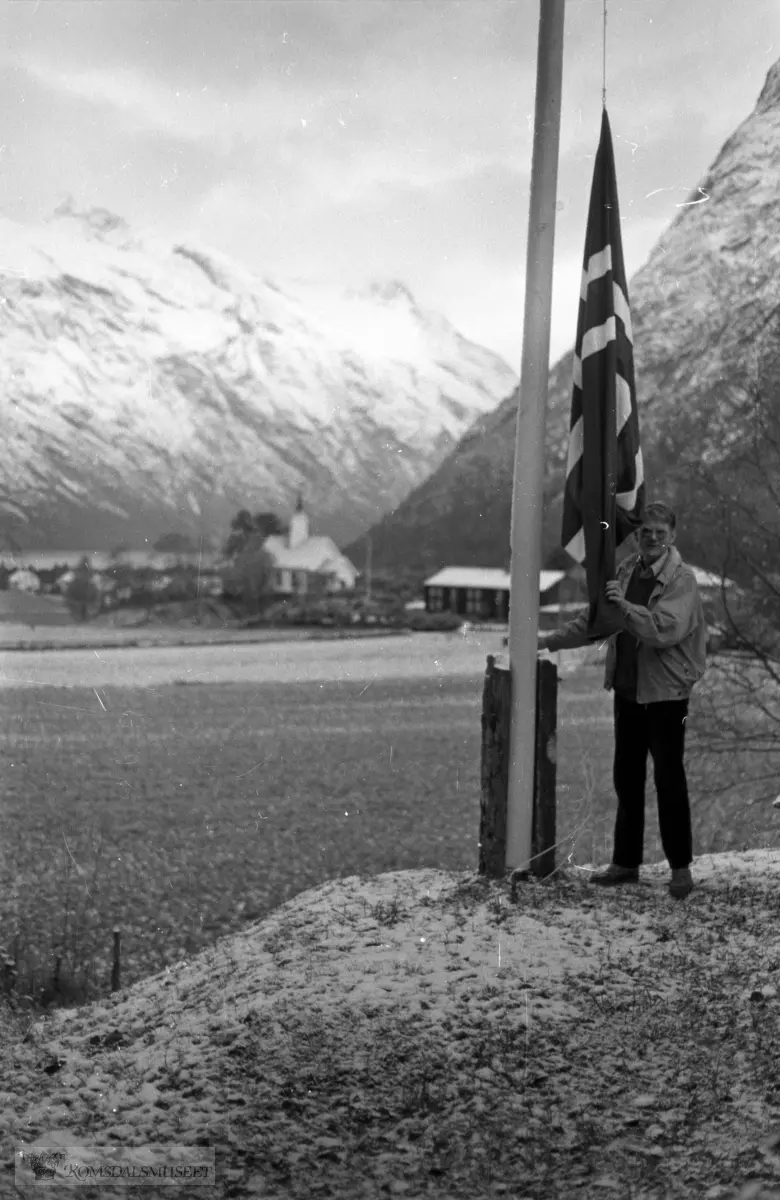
x: 311, y: 581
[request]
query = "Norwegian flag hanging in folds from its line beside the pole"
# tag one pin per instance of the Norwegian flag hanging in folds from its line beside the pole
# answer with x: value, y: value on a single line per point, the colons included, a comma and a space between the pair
x: 604, y: 499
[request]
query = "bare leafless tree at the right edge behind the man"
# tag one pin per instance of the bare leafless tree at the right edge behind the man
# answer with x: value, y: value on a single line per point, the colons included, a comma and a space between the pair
x: 736, y: 507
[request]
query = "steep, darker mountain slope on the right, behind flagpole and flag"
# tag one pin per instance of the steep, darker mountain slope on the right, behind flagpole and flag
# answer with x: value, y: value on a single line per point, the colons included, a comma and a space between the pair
x: 706, y: 316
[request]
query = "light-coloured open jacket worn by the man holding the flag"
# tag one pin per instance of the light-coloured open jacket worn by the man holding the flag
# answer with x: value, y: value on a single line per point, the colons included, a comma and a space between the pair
x: 671, y: 632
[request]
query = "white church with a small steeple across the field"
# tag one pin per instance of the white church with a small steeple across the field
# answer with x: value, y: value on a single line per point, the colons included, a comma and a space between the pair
x: 307, y: 566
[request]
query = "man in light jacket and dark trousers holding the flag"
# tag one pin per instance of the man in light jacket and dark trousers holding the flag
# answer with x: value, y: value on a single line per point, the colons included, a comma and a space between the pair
x: 655, y: 658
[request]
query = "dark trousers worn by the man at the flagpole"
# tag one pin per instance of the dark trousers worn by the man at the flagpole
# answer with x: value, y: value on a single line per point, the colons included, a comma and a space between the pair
x: 661, y: 730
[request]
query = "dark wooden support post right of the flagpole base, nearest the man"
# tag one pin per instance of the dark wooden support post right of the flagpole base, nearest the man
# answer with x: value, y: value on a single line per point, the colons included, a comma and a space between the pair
x: 544, y: 824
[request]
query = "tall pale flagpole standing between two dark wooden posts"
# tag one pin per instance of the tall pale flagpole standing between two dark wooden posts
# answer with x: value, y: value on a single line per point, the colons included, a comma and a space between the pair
x: 530, y: 441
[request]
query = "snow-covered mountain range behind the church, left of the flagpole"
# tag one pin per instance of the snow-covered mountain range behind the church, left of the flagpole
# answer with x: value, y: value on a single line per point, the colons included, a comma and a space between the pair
x: 152, y: 386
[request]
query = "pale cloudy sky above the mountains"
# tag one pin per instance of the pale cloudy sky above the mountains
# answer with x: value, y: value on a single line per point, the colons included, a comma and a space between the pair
x: 358, y: 141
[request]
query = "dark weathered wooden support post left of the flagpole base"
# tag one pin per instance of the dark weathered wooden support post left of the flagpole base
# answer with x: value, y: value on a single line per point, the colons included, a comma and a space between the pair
x: 495, y: 767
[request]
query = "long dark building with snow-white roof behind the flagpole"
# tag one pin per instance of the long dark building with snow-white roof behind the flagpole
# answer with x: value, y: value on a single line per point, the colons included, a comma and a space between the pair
x: 482, y: 592
